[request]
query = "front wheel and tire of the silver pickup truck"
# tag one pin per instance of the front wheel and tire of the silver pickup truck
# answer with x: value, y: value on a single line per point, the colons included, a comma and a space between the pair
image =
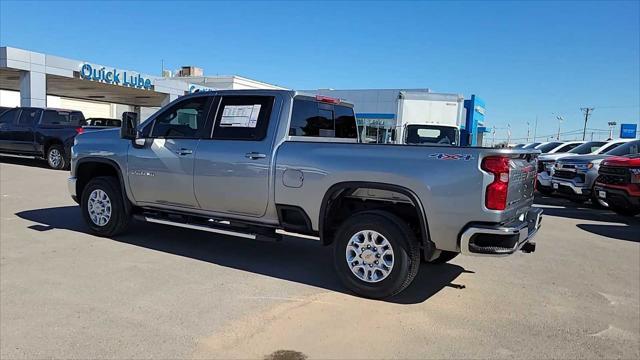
x: 103, y: 207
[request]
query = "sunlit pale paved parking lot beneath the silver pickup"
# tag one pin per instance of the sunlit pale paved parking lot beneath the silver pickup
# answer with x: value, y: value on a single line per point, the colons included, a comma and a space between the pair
x: 162, y: 292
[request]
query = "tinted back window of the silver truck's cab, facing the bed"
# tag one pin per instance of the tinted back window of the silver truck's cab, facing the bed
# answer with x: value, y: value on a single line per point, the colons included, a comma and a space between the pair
x: 311, y: 118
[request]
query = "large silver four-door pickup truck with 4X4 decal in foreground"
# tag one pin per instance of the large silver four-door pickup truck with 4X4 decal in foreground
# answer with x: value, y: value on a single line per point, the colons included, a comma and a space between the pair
x: 257, y: 163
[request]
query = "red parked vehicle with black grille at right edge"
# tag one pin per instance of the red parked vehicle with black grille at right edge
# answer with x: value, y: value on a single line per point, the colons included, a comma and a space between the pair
x: 618, y: 184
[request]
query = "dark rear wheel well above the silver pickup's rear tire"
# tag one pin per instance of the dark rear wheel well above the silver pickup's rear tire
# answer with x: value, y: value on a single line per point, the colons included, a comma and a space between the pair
x: 342, y: 201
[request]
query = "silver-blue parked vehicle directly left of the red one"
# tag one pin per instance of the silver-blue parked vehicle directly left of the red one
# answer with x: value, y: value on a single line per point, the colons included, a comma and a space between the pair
x: 575, y: 176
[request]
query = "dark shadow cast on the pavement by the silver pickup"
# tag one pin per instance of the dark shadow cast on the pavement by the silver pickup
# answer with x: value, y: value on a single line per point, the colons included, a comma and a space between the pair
x: 293, y: 259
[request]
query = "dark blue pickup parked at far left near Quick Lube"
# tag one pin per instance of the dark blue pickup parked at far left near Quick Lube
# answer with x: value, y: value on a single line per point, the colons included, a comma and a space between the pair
x: 45, y: 133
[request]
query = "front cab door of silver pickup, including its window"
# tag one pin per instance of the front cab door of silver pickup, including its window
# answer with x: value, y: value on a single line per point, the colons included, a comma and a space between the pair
x: 160, y: 163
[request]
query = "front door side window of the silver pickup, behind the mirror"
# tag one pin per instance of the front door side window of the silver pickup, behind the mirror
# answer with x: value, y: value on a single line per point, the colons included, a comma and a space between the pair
x: 186, y: 119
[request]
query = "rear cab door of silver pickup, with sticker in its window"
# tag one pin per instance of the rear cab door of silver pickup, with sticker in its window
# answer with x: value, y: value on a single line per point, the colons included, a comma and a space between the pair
x: 232, y: 167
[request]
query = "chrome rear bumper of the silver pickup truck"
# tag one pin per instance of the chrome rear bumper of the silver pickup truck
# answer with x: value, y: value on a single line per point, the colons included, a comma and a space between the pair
x: 501, y: 239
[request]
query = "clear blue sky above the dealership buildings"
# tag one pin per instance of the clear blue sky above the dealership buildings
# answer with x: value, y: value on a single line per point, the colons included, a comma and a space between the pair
x: 523, y: 58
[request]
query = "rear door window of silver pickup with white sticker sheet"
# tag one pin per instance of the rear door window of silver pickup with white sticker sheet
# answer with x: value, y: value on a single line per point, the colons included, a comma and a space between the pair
x: 243, y: 118
